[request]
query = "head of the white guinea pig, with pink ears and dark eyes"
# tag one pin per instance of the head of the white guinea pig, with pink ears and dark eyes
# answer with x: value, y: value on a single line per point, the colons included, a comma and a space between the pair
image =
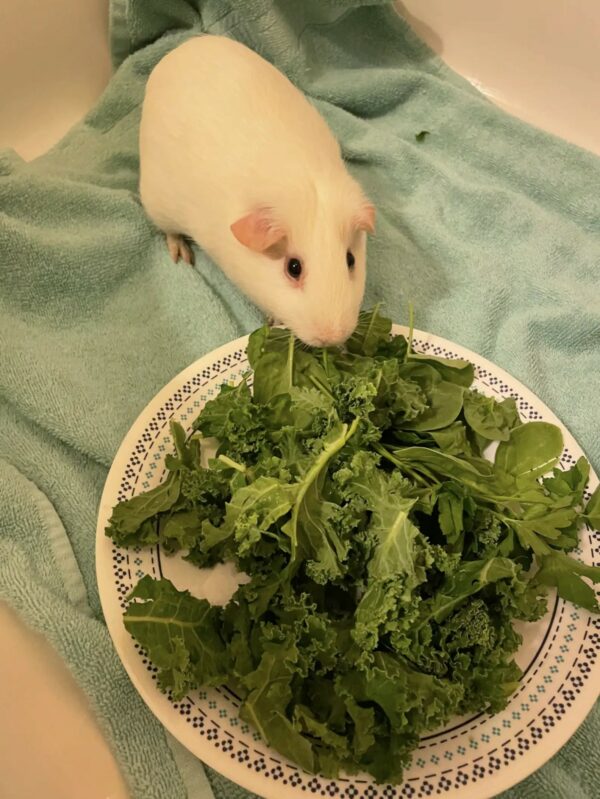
x: 312, y: 262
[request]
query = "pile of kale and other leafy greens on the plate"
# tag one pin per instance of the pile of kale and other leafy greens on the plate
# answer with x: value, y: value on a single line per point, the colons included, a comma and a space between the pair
x: 387, y: 557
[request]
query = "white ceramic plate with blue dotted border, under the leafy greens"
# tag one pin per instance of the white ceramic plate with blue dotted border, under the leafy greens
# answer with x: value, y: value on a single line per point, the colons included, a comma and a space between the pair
x: 473, y: 757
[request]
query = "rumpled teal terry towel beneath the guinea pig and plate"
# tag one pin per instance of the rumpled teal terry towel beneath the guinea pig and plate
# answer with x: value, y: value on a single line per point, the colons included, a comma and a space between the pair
x: 490, y: 227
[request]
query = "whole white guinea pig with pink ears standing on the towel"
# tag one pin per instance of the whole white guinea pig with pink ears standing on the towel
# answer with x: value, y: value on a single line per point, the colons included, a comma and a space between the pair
x: 233, y: 156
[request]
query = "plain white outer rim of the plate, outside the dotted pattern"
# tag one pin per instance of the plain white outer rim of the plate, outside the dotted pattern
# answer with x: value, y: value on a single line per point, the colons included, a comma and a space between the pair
x: 214, y: 758
